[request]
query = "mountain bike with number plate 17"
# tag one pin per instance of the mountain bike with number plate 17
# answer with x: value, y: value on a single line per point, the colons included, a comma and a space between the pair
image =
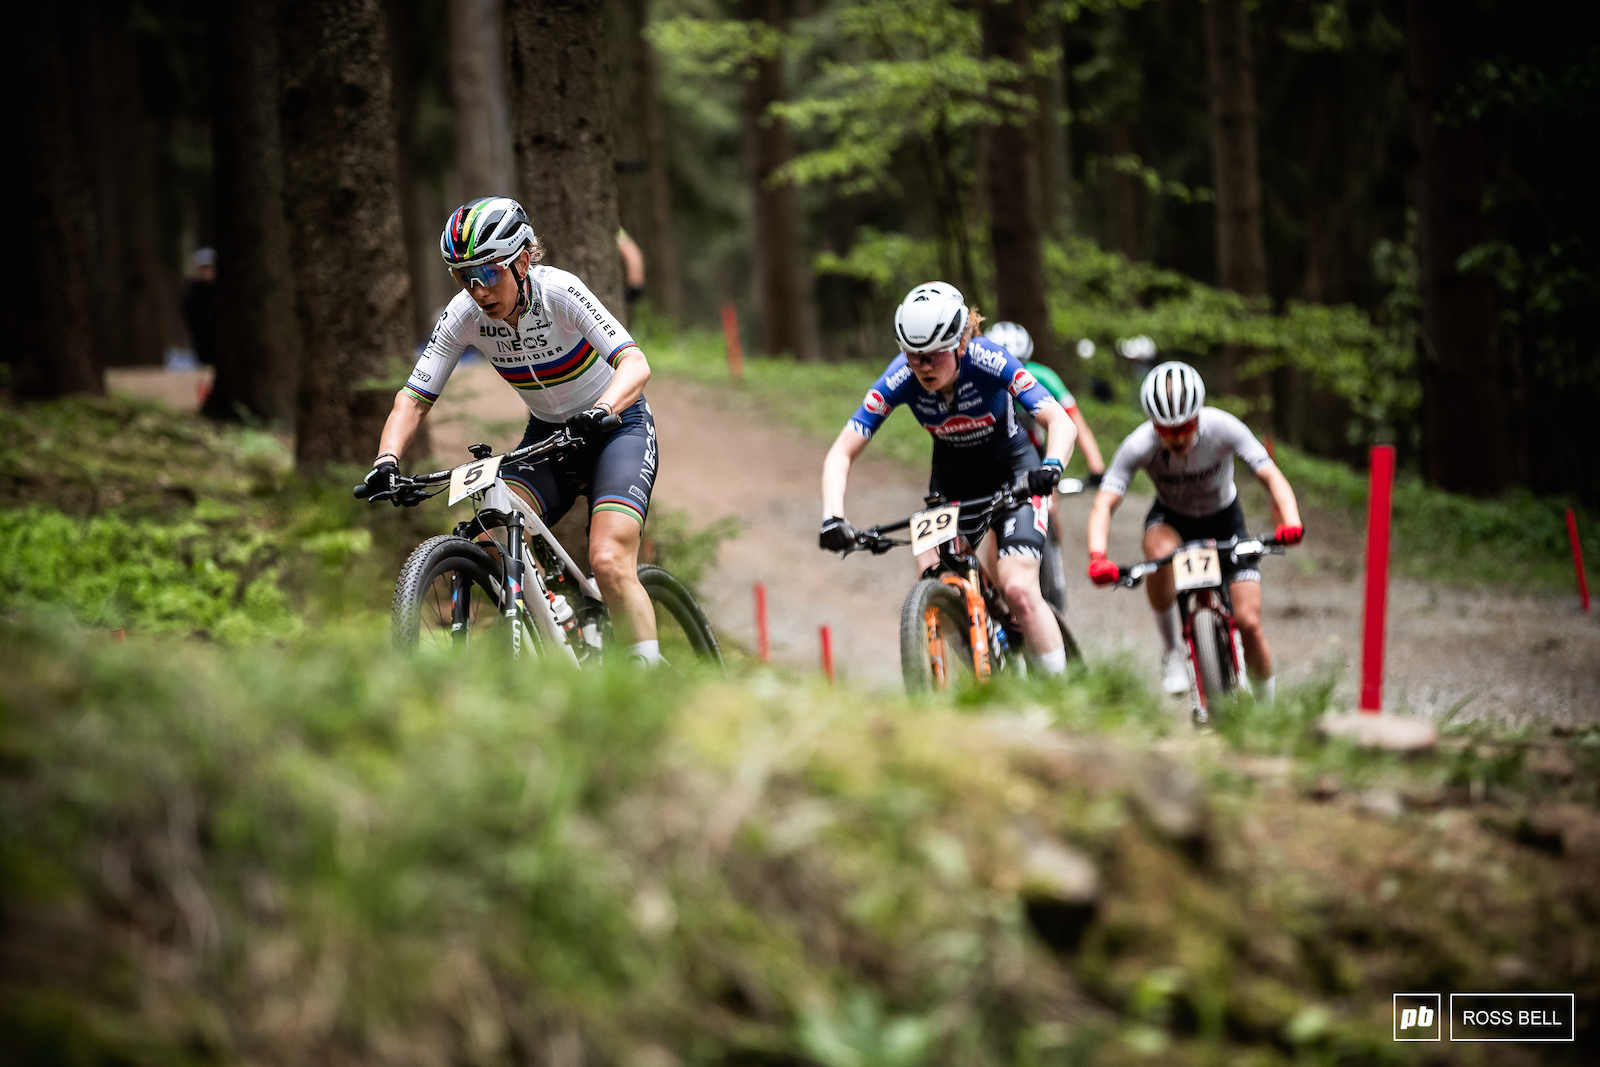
x: 1215, y: 652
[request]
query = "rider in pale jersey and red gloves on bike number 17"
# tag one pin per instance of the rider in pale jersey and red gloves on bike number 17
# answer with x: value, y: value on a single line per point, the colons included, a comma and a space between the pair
x: 1190, y: 450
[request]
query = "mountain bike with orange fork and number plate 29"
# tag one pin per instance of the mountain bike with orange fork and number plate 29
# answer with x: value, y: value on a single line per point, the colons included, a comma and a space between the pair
x: 954, y: 621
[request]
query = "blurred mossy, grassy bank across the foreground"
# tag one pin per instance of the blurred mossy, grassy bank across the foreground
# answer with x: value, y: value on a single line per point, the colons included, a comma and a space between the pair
x: 318, y: 852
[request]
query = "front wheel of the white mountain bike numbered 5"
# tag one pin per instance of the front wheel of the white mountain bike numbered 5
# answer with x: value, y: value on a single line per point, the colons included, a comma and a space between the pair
x: 450, y: 593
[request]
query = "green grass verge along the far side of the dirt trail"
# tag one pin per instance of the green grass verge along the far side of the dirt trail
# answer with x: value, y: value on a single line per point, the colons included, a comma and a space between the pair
x: 1518, y: 540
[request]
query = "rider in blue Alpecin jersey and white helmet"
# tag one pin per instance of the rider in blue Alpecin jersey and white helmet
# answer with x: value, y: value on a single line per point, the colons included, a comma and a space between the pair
x: 962, y: 390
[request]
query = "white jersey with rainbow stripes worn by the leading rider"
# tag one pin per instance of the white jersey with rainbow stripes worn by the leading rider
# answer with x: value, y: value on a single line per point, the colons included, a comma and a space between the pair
x: 559, y: 356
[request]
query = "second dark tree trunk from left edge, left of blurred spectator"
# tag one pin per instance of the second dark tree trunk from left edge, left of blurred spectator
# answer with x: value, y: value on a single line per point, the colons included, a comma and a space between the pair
x: 137, y: 294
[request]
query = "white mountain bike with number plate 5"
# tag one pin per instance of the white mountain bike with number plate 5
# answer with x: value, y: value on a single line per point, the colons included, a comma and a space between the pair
x: 502, y: 577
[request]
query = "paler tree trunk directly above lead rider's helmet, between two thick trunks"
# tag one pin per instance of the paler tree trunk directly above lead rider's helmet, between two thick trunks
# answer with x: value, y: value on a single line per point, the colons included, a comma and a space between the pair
x: 478, y: 82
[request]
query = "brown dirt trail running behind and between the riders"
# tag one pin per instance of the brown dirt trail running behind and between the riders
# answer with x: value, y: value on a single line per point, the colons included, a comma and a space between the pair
x: 1505, y: 655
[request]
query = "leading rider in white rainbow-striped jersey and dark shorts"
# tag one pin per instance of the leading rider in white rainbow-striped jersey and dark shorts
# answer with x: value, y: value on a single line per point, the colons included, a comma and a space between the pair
x: 574, y: 364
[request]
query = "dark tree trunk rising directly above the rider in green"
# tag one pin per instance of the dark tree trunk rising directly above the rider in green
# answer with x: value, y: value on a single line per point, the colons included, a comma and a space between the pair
x: 1012, y: 183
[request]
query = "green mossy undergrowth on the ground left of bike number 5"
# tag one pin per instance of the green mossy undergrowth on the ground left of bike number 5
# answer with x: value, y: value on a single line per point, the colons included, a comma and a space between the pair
x: 140, y: 519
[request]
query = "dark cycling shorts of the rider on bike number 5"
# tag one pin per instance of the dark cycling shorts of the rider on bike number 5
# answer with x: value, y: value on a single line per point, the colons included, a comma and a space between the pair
x: 617, y: 473
